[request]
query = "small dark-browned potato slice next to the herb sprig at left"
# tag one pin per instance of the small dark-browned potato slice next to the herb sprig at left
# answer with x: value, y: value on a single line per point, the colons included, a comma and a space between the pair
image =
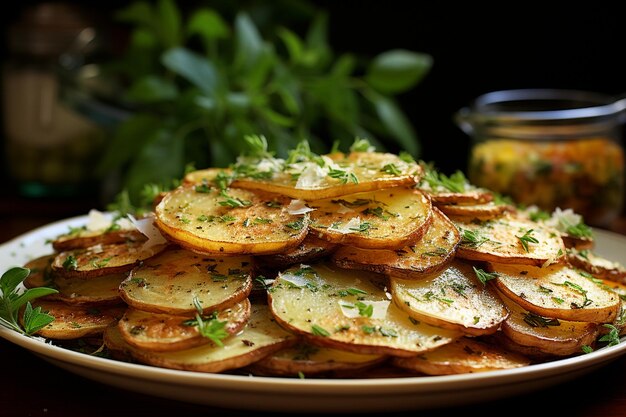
x: 74, y: 321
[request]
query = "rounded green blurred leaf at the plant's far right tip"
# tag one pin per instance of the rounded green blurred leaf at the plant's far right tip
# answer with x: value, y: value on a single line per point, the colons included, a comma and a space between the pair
x: 397, y: 70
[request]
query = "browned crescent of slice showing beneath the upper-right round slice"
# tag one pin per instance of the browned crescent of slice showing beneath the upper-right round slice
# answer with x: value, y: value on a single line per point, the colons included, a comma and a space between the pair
x: 429, y: 254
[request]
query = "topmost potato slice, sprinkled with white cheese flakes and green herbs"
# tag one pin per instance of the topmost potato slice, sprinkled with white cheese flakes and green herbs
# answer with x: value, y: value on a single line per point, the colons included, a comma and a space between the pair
x: 340, y: 175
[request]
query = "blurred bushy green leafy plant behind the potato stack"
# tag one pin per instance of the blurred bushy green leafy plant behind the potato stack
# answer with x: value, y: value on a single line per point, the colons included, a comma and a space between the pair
x: 197, y: 81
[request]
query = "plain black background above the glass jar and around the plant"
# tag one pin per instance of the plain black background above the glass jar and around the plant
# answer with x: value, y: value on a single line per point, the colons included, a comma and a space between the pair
x: 476, y: 48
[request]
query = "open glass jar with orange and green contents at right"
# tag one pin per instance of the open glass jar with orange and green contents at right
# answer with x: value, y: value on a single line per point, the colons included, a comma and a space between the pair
x: 550, y: 148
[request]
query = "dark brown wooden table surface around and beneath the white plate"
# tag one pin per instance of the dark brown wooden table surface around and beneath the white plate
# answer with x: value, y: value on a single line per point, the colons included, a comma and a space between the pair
x: 32, y: 387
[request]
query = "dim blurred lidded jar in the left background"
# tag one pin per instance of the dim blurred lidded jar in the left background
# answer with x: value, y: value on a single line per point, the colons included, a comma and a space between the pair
x: 50, y: 150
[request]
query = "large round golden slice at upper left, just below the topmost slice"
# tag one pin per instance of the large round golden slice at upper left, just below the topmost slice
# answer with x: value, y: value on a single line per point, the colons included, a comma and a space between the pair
x: 241, y: 222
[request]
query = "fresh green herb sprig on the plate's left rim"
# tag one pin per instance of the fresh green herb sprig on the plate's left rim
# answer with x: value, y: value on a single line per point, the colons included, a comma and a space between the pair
x: 12, y: 300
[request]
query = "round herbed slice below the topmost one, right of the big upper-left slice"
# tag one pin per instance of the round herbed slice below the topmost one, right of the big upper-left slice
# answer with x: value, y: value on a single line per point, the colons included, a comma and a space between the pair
x: 382, y: 219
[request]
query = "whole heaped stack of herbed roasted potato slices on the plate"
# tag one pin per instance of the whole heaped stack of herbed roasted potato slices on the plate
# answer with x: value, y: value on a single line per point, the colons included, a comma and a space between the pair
x: 332, y: 265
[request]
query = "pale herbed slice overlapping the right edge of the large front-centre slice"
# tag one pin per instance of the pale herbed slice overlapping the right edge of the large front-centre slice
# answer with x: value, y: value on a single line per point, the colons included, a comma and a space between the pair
x: 453, y: 298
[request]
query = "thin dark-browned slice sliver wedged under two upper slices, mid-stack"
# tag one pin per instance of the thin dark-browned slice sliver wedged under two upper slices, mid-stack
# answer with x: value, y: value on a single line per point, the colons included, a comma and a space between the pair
x: 310, y: 250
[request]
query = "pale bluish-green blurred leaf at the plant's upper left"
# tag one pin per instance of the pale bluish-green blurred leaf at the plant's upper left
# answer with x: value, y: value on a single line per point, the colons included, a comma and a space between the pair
x: 196, y: 69
